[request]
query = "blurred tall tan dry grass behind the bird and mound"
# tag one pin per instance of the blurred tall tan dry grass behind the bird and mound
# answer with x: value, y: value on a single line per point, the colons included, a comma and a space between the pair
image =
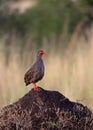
x: 70, y: 73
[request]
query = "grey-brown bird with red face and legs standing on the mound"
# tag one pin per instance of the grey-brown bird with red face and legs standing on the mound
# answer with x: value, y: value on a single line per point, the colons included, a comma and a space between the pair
x: 36, y: 72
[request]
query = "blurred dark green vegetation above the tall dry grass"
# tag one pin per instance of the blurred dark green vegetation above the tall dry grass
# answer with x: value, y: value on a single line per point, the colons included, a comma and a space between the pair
x: 49, y: 19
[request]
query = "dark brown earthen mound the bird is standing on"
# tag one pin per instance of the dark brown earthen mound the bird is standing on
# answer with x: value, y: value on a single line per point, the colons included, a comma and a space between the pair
x: 45, y: 110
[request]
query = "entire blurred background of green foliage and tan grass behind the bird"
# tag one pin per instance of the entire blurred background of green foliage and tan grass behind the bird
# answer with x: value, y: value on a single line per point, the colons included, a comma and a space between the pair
x: 64, y: 29
